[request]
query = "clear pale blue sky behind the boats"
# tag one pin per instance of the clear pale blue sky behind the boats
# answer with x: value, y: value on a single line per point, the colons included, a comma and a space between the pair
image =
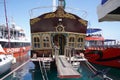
x: 19, y: 10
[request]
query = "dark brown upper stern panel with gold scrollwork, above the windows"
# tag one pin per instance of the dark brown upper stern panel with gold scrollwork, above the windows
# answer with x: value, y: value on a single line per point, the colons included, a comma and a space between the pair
x: 52, y: 20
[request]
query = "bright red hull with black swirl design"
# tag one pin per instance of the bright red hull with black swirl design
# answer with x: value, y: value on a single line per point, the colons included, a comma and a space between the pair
x: 108, y: 57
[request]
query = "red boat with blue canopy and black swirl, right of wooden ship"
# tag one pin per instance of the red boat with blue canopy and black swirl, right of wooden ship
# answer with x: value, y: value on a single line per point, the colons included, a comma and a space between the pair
x: 102, y: 51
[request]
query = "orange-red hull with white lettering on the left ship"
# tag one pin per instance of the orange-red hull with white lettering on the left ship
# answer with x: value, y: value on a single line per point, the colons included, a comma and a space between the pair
x: 17, y: 52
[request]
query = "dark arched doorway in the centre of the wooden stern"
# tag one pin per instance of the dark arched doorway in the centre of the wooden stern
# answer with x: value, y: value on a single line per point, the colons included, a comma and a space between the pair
x: 59, y: 40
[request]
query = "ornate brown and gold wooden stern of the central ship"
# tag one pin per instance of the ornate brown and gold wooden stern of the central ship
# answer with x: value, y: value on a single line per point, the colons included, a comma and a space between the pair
x: 58, y: 28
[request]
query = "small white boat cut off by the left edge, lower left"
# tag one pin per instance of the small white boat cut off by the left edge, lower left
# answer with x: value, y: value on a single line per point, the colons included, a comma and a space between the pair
x: 5, y: 61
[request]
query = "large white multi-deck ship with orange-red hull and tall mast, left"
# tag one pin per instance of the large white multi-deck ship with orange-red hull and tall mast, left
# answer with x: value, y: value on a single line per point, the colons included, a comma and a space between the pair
x: 12, y: 38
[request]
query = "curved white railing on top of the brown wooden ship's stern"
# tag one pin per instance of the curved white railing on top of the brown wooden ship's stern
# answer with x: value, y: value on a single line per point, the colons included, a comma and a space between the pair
x: 35, y: 12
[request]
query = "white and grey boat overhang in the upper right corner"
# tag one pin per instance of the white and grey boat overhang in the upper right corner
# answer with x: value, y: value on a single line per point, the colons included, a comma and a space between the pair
x: 109, y: 10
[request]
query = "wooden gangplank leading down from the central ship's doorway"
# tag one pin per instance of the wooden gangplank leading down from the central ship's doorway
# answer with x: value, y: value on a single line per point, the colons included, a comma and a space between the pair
x: 65, y: 69
